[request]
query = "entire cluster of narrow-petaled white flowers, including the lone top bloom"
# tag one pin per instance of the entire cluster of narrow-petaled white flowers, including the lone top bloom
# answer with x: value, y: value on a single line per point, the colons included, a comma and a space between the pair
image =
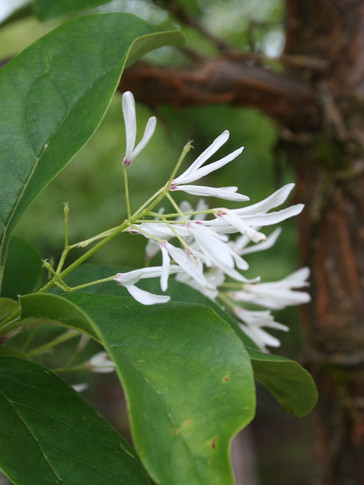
x: 206, y: 248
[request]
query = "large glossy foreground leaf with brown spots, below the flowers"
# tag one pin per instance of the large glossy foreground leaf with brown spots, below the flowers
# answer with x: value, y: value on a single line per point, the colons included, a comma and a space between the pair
x: 186, y: 375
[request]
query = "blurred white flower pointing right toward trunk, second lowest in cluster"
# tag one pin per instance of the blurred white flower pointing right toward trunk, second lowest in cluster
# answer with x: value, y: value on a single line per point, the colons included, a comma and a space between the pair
x: 276, y: 295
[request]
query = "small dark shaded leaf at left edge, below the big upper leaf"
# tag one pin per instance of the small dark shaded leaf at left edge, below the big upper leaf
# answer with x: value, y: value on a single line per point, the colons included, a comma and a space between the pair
x: 22, y: 269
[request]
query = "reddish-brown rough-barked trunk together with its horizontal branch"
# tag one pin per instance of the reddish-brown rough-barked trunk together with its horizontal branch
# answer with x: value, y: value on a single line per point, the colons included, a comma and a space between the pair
x: 319, y: 105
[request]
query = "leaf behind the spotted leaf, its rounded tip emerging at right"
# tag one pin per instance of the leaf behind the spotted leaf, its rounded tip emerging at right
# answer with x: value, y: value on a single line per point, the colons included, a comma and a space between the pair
x: 285, y: 379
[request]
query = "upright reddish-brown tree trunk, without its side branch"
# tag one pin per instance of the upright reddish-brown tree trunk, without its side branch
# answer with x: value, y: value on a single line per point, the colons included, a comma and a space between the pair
x: 330, y: 171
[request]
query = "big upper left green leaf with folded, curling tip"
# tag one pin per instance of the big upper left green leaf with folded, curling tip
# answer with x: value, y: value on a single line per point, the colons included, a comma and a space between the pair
x: 54, y: 95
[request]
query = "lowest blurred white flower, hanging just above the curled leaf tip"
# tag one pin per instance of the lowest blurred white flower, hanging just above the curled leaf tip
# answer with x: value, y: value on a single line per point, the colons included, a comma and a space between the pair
x: 252, y: 323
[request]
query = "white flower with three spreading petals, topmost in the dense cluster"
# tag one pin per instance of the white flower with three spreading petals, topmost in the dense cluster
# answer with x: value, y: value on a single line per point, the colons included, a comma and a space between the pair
x: 196, y: 171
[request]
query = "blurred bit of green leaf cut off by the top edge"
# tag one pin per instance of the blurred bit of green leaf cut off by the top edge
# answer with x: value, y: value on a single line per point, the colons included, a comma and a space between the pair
x: 45, y: 9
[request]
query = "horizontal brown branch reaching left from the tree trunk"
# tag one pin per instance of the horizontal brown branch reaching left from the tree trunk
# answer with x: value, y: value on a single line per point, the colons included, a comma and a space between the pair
x: 226, y: 80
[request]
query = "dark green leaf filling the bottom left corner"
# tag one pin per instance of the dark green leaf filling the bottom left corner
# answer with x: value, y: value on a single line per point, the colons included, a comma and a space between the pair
x: 50, y: 434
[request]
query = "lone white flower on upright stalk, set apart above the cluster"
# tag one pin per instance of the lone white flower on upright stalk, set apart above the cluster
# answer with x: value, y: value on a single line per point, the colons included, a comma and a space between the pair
x: 128, y: 105
